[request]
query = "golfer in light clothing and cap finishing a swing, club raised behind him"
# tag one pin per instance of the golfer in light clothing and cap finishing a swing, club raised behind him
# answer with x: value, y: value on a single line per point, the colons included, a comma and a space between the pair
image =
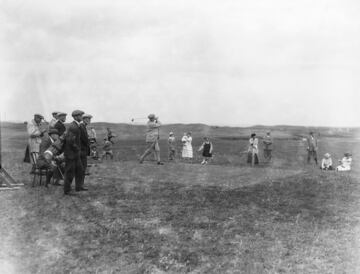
x: 152, y: 139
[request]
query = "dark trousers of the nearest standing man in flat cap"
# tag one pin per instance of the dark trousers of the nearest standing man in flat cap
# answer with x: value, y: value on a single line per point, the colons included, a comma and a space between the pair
x: 73, y: 168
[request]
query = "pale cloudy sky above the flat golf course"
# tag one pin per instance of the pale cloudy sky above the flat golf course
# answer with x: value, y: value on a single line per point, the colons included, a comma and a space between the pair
x: 229, y: 62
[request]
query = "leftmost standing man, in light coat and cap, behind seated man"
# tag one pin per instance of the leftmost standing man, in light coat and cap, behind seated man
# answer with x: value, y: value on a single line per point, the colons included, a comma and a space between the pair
x: 35, y: 131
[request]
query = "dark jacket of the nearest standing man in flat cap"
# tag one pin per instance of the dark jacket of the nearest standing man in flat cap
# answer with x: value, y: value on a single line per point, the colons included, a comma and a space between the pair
x: 72, y: 146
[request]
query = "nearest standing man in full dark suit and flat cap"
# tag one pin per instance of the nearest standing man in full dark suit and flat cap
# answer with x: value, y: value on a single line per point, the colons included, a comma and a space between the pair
x: 72, y: 152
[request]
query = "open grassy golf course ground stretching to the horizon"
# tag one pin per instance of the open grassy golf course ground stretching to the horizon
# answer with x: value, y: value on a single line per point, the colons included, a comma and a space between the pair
x: 283, y: 217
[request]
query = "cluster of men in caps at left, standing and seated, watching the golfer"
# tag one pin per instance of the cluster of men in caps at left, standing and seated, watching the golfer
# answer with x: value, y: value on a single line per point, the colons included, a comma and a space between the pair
x: 62, y: 151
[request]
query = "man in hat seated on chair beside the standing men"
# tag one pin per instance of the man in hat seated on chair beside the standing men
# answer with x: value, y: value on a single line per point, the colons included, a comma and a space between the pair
x: 50, y: 144
